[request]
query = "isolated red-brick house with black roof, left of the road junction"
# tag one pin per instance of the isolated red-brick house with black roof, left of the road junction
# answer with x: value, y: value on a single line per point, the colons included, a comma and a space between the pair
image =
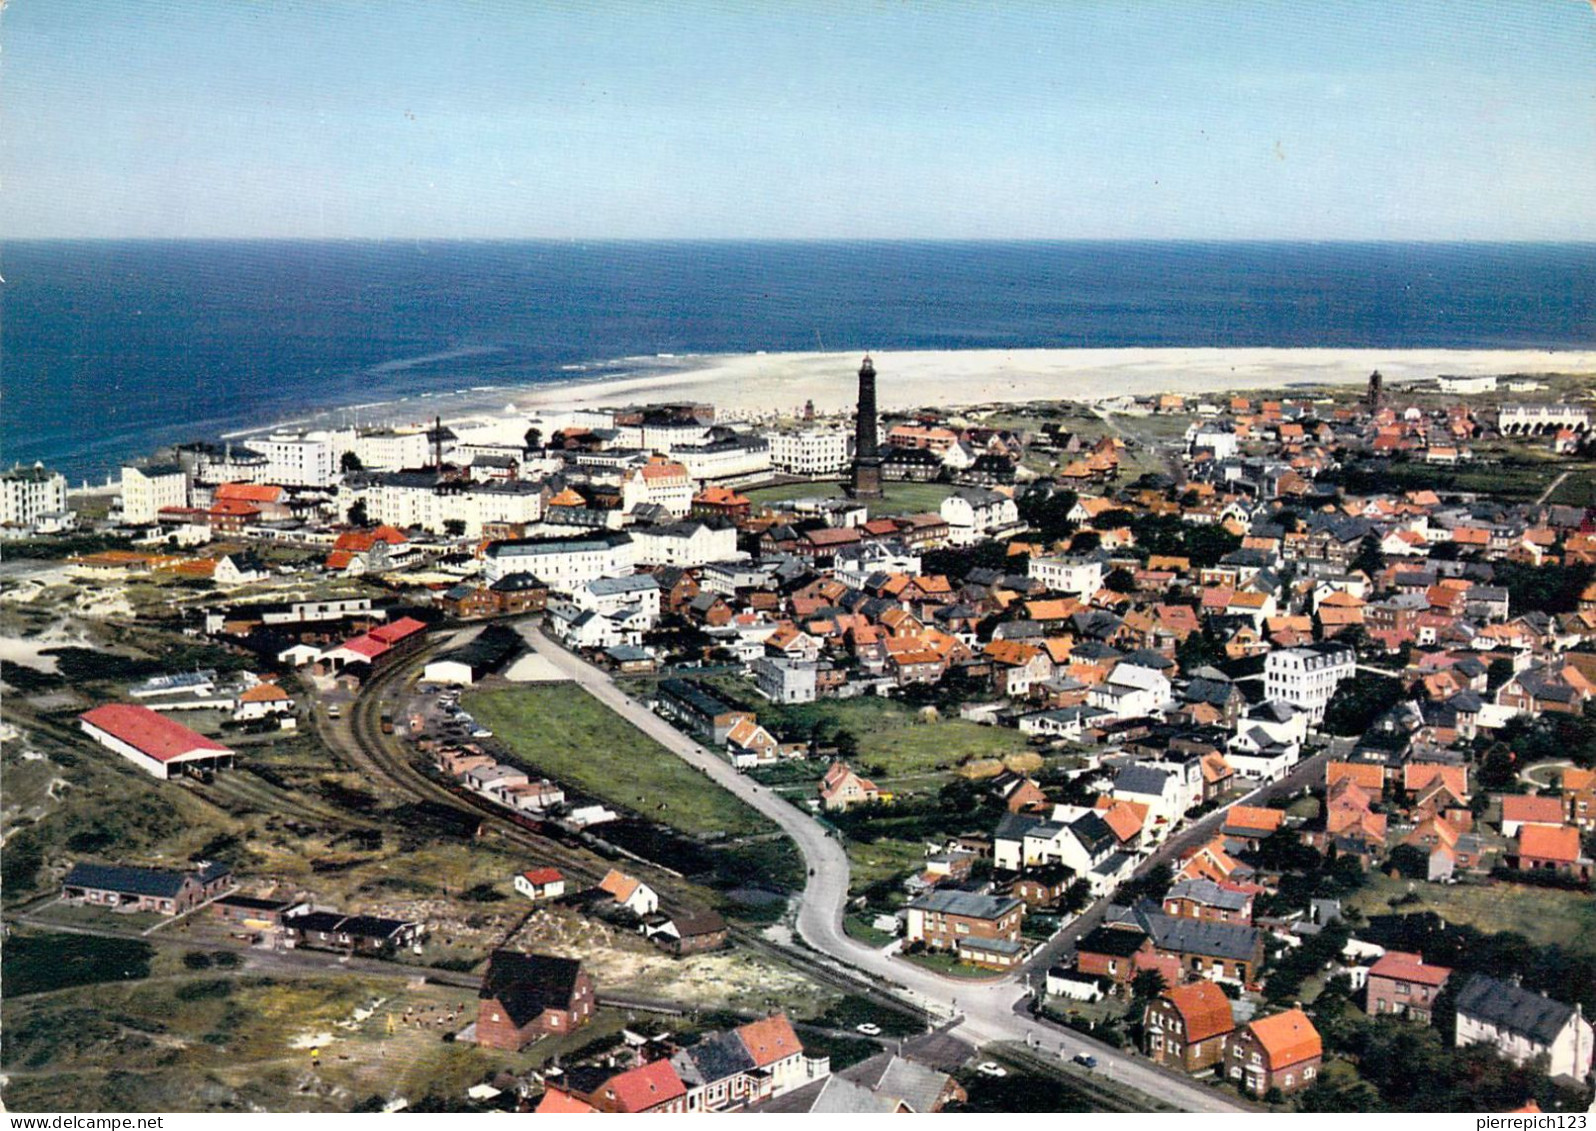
x: 529, y: 996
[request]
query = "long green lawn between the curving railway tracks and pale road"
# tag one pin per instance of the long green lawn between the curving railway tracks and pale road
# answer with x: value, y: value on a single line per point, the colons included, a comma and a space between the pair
x: 572, y: 738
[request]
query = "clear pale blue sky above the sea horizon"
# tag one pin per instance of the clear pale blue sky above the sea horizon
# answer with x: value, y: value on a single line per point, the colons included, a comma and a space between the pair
x: 1057, y: 119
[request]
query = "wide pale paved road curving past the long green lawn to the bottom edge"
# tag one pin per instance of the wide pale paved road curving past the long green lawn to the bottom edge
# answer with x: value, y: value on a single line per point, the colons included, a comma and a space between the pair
x: 990, y: 1009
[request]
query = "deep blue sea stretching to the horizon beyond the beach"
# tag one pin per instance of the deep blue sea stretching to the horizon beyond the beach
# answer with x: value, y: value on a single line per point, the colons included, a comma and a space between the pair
x: 109, y: 350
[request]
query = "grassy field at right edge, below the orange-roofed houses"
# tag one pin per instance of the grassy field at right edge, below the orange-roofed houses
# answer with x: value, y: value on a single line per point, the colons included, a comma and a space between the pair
x: 1539, y: 915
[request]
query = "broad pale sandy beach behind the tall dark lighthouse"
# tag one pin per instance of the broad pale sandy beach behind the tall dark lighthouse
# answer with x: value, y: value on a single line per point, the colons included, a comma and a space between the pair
x: 780, y: 384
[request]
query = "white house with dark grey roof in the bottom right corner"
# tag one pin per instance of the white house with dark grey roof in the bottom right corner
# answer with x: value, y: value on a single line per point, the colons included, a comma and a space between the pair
x: 1525, y: 1025
